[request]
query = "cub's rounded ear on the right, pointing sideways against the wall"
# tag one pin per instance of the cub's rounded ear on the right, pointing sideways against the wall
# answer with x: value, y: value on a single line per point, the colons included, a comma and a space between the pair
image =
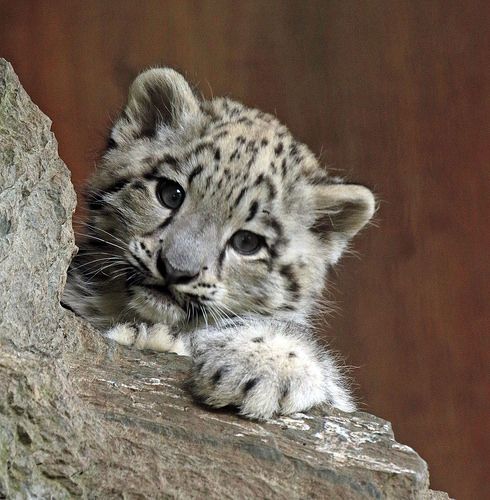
x: 342, y: 208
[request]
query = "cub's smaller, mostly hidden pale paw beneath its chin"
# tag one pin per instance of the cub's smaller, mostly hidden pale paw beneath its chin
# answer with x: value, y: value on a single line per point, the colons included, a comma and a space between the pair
x: 142, y: 336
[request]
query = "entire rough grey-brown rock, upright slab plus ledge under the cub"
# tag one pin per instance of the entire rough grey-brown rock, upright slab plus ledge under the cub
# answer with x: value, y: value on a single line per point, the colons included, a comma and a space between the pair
x: 80, y: 417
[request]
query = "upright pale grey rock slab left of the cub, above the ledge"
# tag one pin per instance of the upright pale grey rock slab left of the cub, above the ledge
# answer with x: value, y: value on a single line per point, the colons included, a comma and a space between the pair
x: 36, y: 239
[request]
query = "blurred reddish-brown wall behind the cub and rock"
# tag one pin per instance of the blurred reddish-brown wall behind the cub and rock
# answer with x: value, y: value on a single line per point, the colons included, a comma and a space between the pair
x: 395, y: 94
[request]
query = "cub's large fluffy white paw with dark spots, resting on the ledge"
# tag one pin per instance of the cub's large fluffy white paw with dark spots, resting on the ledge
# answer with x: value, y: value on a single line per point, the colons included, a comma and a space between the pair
x: 265, y: 370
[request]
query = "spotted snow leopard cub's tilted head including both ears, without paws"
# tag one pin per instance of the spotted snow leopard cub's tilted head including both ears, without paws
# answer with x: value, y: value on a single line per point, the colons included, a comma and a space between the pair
x: 215, y: 208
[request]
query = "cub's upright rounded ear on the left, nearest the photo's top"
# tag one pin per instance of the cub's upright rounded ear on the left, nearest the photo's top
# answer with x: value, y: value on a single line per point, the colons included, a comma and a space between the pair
x: 159, y: 100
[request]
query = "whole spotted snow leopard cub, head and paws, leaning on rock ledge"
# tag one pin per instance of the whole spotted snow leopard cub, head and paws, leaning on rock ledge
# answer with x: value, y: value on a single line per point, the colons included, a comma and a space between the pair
x: 210, y: 233
